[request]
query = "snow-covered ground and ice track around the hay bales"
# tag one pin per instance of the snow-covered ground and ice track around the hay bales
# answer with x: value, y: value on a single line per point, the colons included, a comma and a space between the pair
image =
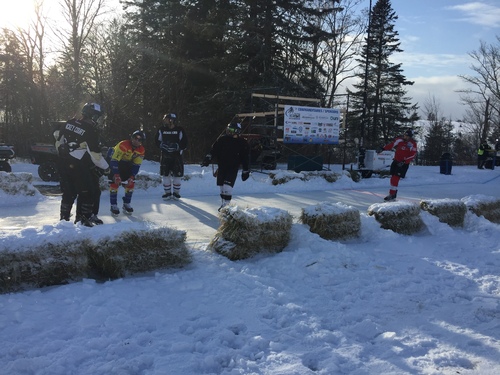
x: 381, y: 304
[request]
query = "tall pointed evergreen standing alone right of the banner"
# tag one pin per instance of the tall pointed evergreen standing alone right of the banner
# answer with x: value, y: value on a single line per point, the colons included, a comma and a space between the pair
x: 381, y: 108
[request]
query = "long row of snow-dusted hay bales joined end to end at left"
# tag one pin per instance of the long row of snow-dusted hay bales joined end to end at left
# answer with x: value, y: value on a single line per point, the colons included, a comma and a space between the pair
x: 64, y: 262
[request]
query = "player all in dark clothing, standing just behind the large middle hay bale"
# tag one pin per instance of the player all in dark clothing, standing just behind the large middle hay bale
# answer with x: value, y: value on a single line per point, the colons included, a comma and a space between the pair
x: 230, y: 151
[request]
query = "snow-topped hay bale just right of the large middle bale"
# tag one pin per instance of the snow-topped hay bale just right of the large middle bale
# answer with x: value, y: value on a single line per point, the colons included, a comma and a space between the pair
x: 332, y: 221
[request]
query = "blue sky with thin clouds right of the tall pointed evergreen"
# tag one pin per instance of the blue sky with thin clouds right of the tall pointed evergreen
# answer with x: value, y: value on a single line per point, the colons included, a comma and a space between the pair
x: 437, y: 36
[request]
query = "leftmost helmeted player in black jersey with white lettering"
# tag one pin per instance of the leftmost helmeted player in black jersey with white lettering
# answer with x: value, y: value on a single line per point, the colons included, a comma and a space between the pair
x: 77, y: 144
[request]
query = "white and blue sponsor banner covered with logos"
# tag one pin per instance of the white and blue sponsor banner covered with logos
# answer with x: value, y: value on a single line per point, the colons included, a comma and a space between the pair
x: 311, y: 125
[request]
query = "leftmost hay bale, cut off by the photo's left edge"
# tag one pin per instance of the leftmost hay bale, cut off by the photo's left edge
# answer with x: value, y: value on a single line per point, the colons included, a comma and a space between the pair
x: 44, y: 265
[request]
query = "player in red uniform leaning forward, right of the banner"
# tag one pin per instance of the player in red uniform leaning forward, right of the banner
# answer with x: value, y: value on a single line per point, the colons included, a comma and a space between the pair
x: 405, y: 151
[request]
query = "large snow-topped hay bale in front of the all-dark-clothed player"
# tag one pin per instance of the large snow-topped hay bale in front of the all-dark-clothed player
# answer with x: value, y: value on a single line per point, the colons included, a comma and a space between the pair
x: 245, y: 233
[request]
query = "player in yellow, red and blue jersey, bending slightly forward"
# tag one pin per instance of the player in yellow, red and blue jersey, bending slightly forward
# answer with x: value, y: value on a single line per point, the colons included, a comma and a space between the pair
x: 125, y: 161
